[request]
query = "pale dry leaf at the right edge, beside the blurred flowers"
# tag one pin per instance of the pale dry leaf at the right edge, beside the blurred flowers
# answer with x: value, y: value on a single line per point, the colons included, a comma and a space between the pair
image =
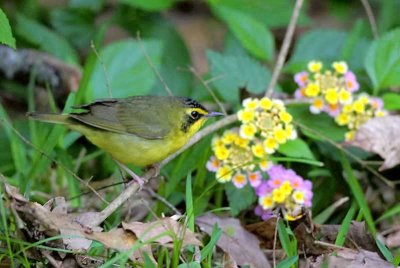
x: 380, y: 135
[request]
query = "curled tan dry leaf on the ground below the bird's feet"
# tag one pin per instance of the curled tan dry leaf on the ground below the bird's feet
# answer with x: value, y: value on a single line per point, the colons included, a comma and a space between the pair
x: 163, y: 231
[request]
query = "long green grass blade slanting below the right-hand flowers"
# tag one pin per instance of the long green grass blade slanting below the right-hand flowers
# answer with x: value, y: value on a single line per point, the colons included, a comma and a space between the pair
x: 358, y: 193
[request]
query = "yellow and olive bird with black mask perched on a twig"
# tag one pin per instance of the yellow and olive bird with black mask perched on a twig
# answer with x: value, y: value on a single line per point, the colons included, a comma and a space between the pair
x: 137, y: 130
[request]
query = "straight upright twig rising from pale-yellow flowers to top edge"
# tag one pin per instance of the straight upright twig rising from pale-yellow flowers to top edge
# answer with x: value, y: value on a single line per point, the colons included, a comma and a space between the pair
x: 285, y: 48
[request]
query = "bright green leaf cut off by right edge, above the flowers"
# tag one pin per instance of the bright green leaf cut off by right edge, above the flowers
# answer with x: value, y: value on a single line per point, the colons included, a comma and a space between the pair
x: 383, y: 60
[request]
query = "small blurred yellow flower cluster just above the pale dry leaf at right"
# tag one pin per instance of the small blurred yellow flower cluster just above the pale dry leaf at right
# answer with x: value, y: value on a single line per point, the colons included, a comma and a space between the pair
x: 362, y: 109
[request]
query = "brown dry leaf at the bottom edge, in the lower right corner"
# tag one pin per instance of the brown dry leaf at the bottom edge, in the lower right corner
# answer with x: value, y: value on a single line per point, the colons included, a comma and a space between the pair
x: 352, y: 258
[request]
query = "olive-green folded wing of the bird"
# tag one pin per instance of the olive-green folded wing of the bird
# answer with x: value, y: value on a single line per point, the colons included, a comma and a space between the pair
x: 138, y: 116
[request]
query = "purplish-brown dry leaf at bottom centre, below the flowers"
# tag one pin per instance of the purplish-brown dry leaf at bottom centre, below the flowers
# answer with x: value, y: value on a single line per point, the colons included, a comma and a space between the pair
x: 241, y: 245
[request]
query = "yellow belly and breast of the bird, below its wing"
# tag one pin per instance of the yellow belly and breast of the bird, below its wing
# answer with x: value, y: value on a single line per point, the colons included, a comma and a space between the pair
x: 131, y: 149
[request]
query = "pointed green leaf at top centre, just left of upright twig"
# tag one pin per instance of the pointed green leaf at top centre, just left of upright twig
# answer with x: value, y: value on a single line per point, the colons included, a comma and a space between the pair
x: 253, y: 35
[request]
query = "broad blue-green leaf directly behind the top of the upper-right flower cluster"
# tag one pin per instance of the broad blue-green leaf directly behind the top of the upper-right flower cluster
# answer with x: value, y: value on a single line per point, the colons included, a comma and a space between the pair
x: 327, y: 45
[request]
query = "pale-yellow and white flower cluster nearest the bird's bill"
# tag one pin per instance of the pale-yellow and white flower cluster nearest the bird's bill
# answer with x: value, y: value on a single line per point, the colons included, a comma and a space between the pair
x: 267, y: 120
